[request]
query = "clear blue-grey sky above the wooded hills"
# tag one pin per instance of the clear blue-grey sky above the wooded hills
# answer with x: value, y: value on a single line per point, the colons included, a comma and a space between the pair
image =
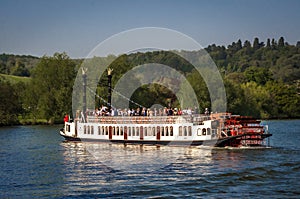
x: 43, y: 27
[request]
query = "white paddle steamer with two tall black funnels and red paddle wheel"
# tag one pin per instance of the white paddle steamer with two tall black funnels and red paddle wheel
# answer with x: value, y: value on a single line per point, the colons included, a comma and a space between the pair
x: 217, y: 129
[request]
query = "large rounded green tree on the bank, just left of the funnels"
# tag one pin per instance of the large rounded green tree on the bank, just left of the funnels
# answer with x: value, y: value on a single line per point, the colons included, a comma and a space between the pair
x: 50, y: 92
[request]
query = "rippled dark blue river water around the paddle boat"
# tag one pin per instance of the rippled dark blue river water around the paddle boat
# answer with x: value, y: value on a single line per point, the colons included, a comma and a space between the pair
x: 35, y: 162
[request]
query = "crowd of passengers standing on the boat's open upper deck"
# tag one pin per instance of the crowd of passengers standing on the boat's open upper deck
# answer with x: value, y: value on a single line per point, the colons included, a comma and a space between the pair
x: 103, y: 111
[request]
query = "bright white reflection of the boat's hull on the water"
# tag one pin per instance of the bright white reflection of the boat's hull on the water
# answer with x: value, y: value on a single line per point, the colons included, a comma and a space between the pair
x: 131, y: 158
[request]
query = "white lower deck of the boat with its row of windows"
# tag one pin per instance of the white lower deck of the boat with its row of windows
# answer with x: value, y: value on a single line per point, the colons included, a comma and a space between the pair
x: 142, y: 132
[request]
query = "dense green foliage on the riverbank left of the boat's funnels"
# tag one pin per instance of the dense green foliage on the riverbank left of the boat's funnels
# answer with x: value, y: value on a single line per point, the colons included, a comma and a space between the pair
x: 47, y: 95
